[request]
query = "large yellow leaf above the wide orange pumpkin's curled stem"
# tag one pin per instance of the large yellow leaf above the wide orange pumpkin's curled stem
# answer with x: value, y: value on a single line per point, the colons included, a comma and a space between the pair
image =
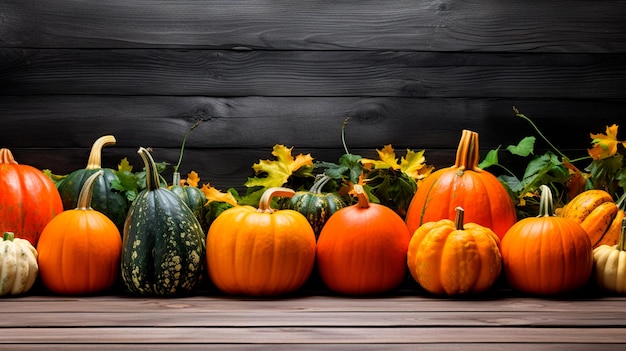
x: 278, y: 171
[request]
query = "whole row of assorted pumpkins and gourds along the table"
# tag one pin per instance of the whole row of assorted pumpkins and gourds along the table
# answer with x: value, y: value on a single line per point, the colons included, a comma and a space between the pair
x: 460, y: 234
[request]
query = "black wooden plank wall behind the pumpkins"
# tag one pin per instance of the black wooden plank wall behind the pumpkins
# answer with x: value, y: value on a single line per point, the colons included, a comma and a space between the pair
x: 409, y: 73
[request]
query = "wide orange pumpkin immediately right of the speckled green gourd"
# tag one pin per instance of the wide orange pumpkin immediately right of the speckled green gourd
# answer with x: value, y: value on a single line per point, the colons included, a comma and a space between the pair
x: 260, y: 252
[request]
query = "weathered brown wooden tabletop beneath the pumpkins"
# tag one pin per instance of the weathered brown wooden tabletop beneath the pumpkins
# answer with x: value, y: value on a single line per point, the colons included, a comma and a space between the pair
x: 315, y: 320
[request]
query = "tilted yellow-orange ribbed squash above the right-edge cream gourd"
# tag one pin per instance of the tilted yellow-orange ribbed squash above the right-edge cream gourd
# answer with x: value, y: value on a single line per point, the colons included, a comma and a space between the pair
x: 599, y: 216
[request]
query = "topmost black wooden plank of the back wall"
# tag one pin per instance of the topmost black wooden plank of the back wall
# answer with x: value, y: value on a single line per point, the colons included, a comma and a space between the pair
x: 433, y: 25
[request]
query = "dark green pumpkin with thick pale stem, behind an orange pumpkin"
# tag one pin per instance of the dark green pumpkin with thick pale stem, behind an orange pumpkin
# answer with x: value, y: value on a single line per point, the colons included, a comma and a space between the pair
x: 105, y: 199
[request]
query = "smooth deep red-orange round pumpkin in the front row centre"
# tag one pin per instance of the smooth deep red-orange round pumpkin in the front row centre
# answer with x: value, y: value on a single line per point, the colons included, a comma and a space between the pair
x: 362, y: 248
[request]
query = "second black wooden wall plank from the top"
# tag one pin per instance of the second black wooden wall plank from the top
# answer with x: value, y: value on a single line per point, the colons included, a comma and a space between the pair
x: 311, y: 73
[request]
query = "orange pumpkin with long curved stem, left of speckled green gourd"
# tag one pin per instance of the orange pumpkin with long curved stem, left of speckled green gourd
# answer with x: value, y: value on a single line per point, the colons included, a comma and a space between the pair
x: 80, y: 249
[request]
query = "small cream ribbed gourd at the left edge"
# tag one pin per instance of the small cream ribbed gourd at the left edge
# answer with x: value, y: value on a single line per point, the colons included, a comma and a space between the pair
x: 18, y: 265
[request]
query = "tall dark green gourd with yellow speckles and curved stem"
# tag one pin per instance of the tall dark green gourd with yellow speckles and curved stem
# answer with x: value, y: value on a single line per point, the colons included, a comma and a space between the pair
x: 164, y: 245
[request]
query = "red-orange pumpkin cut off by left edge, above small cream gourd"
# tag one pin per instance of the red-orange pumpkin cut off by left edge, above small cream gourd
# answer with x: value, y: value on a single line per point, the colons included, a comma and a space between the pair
x: 28, y: 199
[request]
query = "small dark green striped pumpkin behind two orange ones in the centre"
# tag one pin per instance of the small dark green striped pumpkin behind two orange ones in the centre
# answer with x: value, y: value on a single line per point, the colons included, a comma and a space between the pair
x: 315, y: 205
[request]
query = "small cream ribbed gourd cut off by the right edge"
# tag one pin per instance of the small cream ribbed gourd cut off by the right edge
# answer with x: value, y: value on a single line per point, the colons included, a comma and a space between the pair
x: 610, y: 264
